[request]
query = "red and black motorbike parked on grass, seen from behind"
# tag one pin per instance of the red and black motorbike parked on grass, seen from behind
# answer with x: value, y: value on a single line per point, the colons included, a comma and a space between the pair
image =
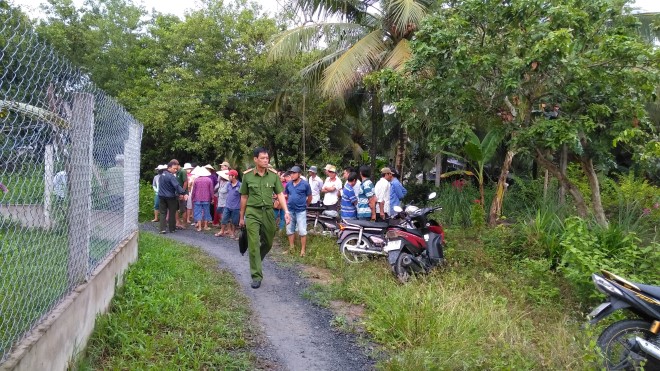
x: 419, y: 246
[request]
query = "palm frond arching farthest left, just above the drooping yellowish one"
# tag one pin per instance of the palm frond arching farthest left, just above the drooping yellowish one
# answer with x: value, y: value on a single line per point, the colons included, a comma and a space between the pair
x: 309, y: 37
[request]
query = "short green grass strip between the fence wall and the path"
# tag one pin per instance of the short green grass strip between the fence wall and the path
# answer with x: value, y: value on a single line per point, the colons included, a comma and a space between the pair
x: 175, y: 310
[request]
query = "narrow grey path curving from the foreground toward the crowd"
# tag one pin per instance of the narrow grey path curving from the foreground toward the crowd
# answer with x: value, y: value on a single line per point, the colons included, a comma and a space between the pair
x: 298, y: 333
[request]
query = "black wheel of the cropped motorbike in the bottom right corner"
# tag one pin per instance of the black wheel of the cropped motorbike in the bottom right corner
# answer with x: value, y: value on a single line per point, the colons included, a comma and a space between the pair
x: 618, y: 345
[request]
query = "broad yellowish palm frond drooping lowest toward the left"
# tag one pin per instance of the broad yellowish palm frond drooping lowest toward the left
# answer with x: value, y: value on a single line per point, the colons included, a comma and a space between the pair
x: 349, y: 68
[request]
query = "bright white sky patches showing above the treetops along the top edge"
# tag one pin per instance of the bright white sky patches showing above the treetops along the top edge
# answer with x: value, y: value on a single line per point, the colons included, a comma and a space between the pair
x: 178, y: 7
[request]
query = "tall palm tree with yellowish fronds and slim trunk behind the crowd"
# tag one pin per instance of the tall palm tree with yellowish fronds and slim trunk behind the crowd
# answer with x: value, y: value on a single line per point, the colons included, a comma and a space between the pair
x: 367, y: 36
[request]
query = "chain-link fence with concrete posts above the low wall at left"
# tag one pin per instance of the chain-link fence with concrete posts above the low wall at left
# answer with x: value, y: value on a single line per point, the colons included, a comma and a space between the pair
x: 69, y: 166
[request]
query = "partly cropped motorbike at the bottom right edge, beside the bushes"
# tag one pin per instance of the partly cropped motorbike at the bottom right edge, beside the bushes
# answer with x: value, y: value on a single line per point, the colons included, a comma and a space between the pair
x: 632, y: 343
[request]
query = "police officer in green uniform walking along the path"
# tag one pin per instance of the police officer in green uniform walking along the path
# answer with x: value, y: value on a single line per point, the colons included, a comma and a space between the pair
x: 259, y: 185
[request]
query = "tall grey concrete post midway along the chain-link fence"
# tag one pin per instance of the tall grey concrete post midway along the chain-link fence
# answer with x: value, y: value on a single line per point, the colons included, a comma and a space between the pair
x: 79, y: 169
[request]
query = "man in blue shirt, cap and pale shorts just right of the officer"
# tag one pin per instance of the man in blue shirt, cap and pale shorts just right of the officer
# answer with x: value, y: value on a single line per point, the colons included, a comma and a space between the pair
x: 299, y: 196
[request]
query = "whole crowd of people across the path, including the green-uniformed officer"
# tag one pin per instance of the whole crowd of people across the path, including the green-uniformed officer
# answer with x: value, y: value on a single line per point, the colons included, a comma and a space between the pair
x: 265, y: 200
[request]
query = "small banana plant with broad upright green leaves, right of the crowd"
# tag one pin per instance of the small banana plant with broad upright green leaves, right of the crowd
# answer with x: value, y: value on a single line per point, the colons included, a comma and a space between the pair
x: 477, y: 154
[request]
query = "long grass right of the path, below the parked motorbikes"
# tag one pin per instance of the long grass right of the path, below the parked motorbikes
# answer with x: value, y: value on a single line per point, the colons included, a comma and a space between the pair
x: 483, y: 311
